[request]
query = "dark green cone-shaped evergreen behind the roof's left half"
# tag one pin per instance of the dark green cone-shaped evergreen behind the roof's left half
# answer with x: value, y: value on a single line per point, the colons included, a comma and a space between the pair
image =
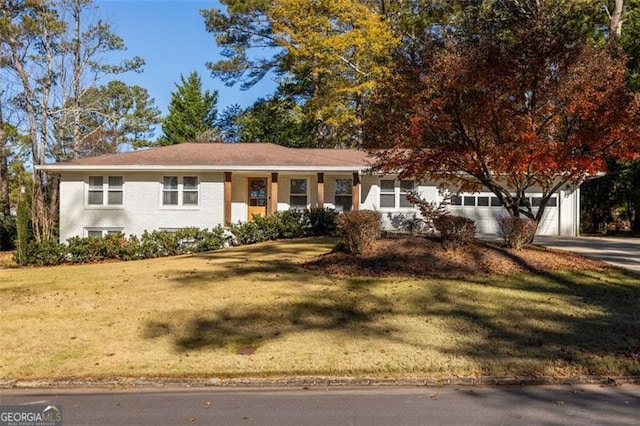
x: 192, y: 113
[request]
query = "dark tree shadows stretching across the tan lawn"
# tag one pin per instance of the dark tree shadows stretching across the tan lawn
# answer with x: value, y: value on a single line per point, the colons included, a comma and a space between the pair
x: 534, y: 323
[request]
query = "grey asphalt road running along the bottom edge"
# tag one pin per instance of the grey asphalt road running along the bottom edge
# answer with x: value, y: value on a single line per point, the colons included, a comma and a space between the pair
x: 532, y: 405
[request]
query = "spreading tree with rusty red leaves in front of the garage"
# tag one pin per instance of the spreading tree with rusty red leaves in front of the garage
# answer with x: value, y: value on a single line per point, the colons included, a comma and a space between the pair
x: 513, y: 102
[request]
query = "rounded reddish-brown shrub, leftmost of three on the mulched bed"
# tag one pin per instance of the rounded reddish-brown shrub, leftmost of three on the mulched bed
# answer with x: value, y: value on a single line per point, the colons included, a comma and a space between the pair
x: 359, y: 230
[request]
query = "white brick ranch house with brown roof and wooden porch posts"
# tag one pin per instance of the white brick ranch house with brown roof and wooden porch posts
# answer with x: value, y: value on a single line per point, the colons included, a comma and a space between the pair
x: 205, y: 185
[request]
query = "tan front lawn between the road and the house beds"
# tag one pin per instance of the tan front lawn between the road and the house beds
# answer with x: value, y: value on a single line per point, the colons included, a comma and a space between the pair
x: 194, y: 316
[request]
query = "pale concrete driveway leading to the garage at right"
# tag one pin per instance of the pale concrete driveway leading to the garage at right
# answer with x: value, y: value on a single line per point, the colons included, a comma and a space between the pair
x: 621, y: 252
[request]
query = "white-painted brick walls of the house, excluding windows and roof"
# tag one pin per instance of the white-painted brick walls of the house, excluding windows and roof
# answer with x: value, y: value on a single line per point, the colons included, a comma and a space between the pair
x: 142, y: 207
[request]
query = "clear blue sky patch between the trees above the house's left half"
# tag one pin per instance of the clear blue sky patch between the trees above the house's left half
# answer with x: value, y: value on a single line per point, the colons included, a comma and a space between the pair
x: 170, y: 36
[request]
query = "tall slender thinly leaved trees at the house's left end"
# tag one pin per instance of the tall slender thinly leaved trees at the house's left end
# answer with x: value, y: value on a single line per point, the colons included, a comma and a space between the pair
x: 50, y: 54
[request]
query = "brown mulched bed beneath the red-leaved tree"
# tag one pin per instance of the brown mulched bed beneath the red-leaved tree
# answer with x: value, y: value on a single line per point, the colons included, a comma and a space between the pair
x: 415, y: 256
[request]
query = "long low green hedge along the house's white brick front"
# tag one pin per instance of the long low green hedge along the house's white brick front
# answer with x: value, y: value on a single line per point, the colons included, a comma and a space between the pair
x: 282, y: 225
